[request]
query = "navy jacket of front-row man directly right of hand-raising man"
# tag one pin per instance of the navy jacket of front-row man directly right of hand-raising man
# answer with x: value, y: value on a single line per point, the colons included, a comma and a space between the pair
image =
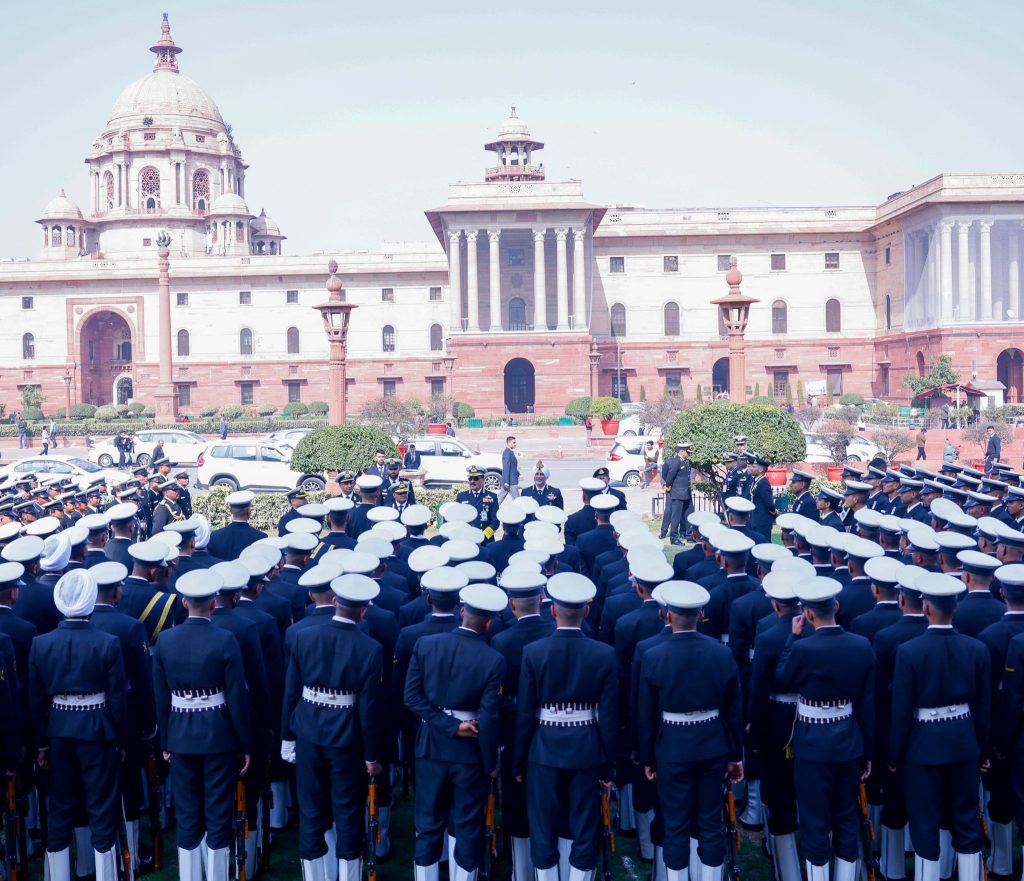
x: 941, y: 668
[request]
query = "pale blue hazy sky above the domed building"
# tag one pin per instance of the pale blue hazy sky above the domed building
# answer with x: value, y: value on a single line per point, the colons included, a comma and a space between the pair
x: 356, y: 116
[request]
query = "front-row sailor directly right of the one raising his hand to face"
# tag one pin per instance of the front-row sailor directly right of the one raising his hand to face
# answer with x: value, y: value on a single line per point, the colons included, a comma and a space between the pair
x: 941, y: 727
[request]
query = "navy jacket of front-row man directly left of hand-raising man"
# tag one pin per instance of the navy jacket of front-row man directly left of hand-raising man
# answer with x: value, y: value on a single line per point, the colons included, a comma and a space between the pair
x: 713, y: 684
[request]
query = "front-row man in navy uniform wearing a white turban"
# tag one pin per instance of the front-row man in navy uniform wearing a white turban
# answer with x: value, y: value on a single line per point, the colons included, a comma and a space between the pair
x: 77, y: 688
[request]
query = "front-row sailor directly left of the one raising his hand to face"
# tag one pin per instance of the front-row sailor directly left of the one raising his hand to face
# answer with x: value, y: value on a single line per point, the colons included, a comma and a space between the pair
x: 691, y: 738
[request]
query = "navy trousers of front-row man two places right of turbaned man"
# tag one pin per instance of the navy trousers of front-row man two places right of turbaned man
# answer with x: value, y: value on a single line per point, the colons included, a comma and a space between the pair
x: 332, y: 788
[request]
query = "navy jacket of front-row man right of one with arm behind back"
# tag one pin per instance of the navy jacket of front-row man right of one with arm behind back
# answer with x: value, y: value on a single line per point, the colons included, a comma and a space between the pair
x: 568, y: 668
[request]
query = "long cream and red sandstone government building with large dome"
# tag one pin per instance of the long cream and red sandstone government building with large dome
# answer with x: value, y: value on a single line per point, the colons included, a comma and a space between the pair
x: 524, y: 281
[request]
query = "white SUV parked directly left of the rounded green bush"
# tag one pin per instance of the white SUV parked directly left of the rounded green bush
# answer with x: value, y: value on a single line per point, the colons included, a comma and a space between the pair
x: 252, y: 466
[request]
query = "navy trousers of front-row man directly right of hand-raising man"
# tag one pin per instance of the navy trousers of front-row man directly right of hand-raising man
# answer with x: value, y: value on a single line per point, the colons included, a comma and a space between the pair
x: 934, y: 792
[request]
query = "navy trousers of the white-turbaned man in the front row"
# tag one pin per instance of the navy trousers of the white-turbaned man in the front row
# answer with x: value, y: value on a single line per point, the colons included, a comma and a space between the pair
x: 93, y: 770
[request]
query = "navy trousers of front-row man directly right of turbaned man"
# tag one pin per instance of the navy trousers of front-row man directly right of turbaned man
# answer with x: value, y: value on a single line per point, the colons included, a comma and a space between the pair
x: 203, y: 788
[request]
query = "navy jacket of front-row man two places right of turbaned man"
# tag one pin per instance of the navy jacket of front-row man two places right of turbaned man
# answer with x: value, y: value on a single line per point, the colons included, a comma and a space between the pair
x: 339, y: 658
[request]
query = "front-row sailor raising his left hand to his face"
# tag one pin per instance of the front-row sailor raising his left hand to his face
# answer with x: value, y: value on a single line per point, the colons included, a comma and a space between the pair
x: 832, y: 673
